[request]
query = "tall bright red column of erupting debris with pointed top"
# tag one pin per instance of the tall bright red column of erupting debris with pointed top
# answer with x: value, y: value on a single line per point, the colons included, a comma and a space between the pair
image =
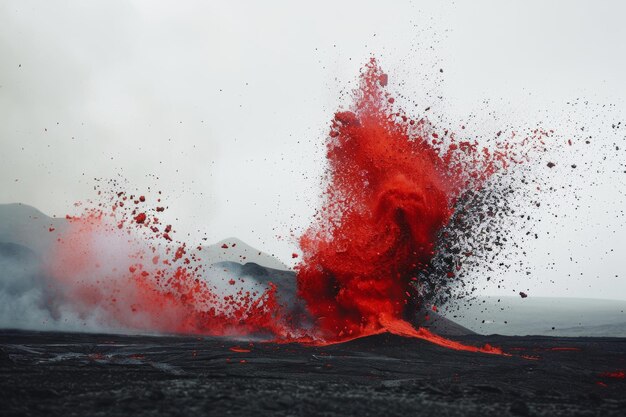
x: 391, y: 188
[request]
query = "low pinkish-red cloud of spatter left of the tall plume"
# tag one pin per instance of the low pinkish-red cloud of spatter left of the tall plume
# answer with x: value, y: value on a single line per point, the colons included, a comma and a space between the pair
x: 131, y: 274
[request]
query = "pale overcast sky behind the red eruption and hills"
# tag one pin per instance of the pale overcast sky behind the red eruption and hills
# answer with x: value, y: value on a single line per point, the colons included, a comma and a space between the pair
x: 224, y: 106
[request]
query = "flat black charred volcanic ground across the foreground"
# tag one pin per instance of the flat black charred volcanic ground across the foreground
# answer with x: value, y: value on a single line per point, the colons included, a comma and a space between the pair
x: 96, y: 374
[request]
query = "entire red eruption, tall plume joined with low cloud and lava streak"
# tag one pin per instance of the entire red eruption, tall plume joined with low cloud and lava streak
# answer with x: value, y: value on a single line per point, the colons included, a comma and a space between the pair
x: 390, y: 188
